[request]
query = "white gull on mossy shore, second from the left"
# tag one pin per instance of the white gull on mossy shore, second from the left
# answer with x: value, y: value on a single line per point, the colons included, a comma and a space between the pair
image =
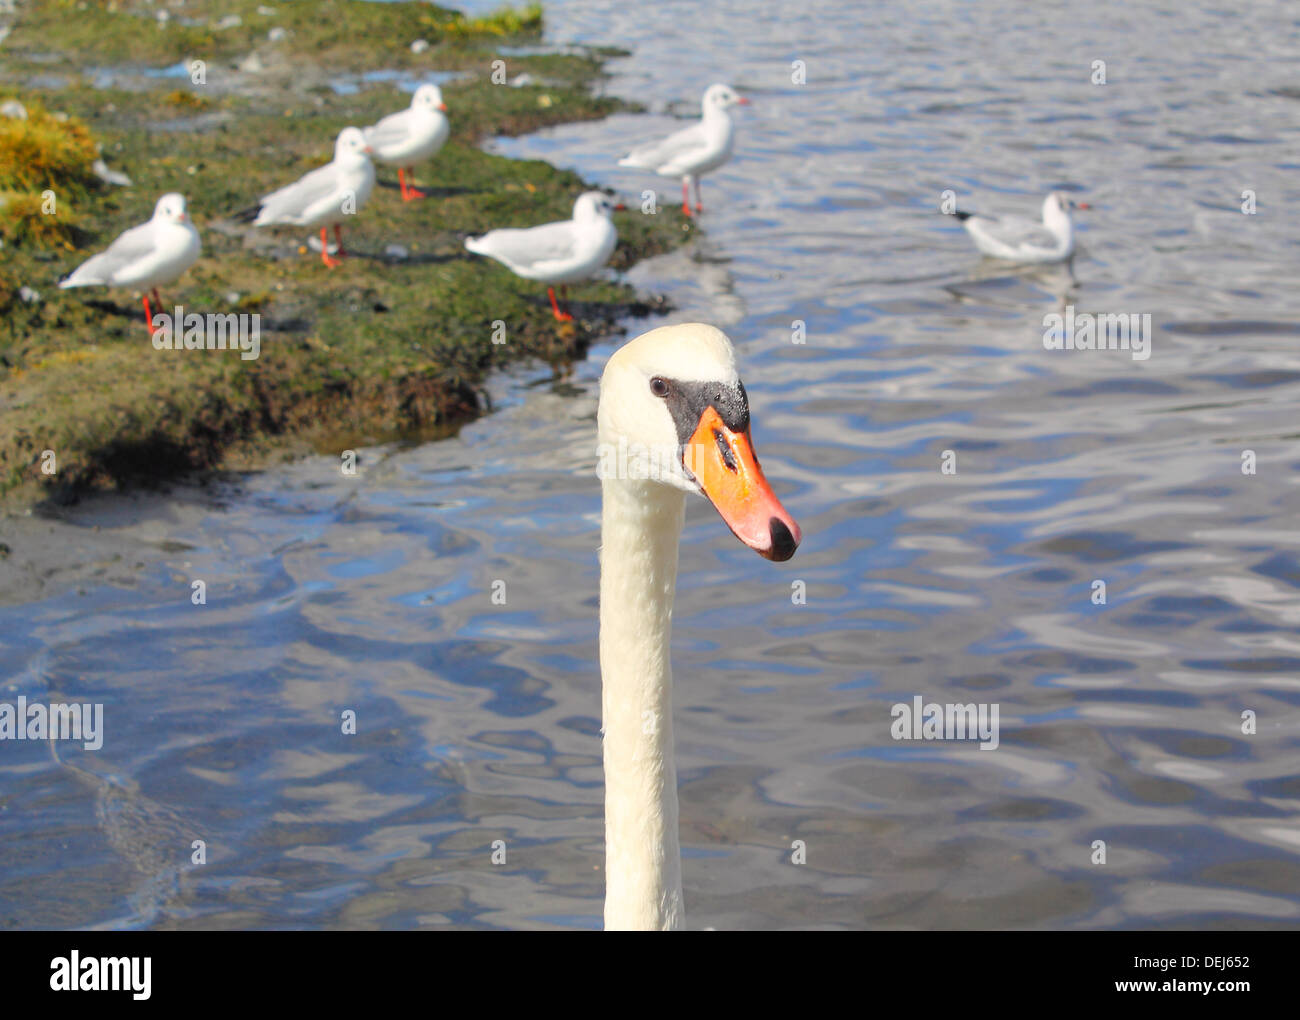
x: 327, y: 196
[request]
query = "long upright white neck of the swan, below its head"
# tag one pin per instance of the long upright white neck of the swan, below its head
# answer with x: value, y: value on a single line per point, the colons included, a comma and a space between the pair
x: 640, y: 529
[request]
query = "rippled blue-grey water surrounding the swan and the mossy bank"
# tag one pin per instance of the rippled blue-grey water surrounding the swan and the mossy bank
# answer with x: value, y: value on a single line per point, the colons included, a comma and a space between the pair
x: 1121, y: 723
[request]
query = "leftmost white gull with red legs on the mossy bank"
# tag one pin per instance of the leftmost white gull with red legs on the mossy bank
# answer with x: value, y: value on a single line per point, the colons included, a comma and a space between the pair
x: 146, y: 255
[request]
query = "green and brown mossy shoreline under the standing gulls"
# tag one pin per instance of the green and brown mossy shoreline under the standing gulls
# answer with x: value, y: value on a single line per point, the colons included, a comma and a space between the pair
x: 397, y: 341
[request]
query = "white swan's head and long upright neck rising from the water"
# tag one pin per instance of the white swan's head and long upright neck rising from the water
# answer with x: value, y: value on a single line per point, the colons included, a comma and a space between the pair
x: 673, y: 419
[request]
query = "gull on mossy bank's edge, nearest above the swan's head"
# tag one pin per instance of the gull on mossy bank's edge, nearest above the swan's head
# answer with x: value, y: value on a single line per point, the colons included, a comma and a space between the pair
x: 562, y: 253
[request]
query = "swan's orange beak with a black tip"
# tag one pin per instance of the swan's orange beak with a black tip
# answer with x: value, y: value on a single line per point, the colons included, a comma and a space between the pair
x: 727, y: 471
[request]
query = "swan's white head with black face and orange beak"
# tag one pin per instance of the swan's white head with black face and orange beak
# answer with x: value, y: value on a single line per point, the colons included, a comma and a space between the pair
x: 674, y: 413
